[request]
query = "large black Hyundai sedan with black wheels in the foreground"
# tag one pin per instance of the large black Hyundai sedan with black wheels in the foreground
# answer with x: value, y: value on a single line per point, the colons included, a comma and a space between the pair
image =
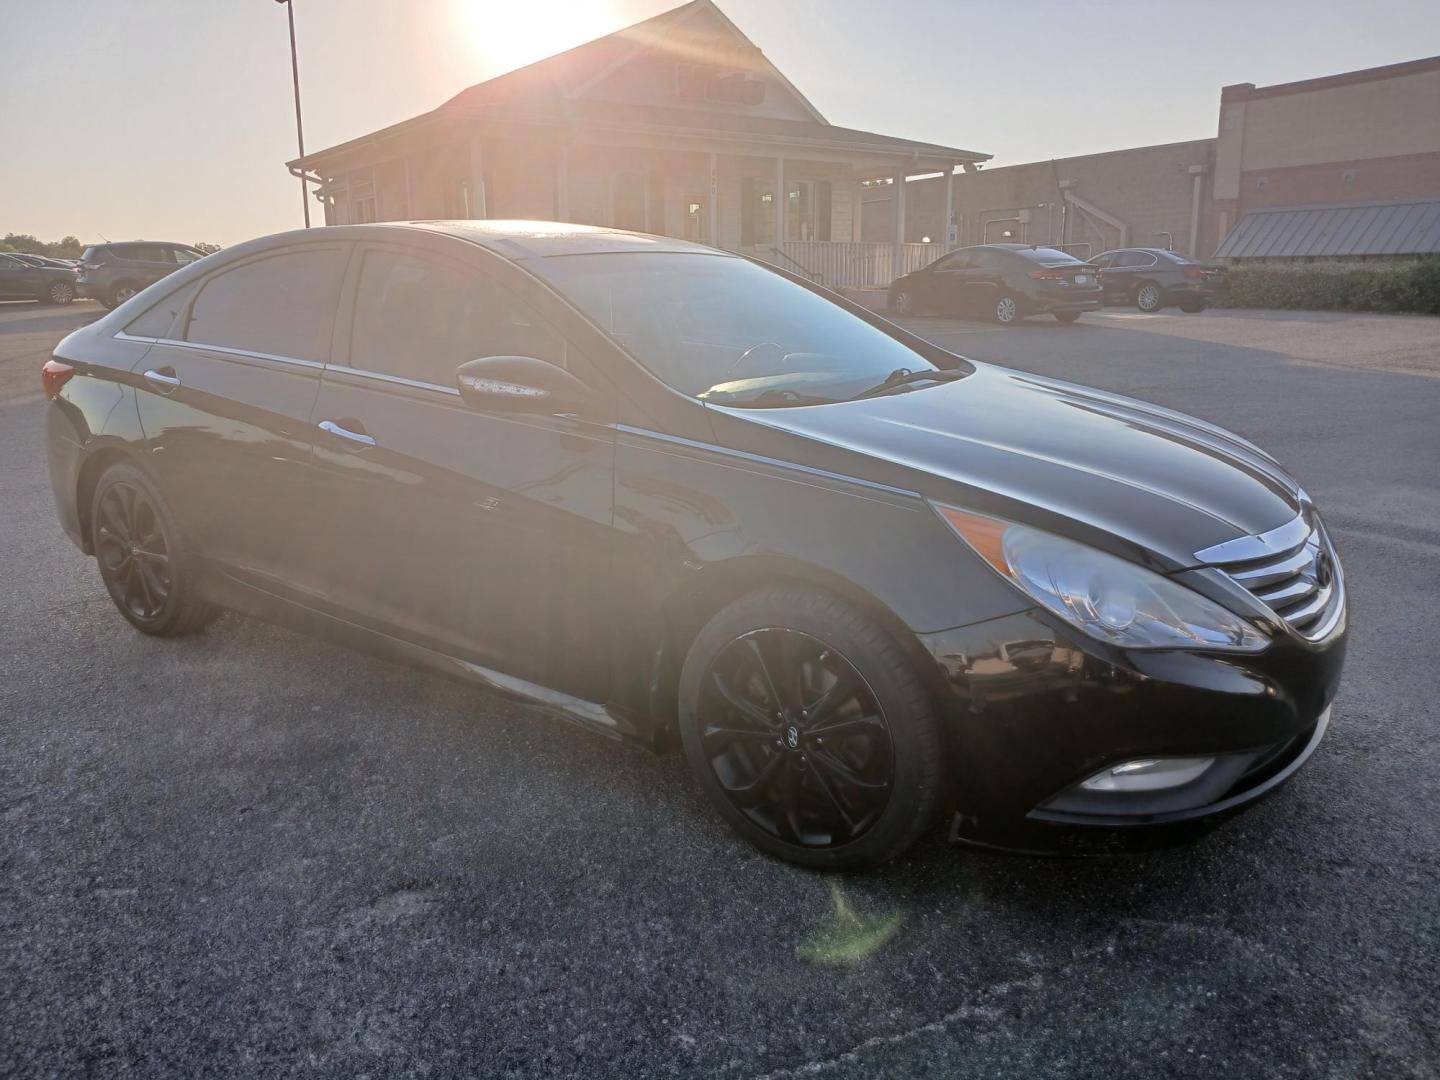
x: 680, y: 498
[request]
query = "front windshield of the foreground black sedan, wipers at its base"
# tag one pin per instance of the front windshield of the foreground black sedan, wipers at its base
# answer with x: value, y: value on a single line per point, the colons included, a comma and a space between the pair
x: 729, y: 332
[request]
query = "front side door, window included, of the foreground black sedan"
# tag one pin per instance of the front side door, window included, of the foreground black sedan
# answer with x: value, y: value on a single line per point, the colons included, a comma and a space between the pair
x: 485, y: 536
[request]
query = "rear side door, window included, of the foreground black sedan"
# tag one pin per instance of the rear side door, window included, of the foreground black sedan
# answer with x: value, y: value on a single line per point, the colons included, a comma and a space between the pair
x: 227, y: 400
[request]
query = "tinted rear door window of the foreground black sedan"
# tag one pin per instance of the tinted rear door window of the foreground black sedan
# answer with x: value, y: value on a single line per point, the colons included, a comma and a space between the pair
x: 284, y: 305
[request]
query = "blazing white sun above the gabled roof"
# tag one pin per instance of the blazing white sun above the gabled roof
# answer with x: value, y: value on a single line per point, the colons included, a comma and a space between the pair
x: 512, y: 34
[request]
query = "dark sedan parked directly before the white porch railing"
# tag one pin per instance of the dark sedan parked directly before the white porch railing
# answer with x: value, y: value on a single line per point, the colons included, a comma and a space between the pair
x: 1000, y: 282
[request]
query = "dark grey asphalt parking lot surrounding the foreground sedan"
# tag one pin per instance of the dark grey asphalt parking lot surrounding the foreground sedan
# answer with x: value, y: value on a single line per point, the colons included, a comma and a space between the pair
x: 251, y: 853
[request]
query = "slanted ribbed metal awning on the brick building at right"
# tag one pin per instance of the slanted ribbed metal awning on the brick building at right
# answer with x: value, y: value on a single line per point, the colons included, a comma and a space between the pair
x: 1344, y: 230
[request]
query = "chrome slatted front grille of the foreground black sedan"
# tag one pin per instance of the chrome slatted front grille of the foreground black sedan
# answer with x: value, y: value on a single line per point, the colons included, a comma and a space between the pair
x: 1292, y: 571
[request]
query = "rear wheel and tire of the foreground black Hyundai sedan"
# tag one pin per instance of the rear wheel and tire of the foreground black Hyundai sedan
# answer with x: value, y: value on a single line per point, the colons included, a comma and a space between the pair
x: 142, y: 558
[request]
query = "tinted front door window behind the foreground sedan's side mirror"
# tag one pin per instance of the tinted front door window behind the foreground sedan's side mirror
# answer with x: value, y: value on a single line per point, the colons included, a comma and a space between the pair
x: 423, y: 320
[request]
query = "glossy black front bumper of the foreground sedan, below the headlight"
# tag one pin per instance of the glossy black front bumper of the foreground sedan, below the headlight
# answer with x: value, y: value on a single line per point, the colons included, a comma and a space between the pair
x: 1036, y: 709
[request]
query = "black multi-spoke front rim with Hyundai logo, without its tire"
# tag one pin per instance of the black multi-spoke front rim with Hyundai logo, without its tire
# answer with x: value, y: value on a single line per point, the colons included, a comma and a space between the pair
x: 796, y: 738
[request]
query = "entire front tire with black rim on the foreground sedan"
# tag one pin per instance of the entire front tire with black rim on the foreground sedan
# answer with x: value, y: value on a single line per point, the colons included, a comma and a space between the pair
x: 761, y: 754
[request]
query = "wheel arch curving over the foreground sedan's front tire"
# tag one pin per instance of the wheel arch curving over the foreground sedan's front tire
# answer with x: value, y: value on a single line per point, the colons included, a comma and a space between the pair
x: 690, y: 610
